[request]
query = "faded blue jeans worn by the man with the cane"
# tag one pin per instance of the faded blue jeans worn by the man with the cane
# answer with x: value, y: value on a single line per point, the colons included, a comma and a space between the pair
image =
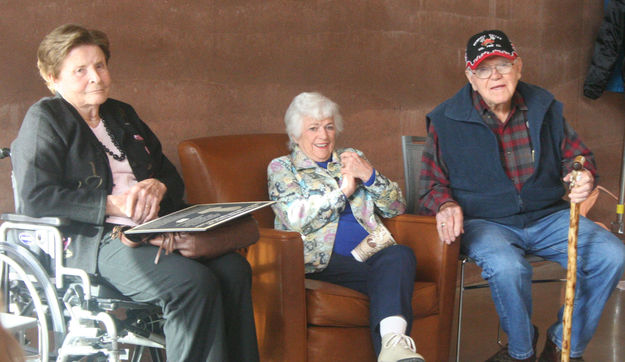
x: 499, y: 250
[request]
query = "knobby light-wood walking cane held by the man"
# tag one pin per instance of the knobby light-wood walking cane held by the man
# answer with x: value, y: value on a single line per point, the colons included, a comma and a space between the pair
x: 571, y: 270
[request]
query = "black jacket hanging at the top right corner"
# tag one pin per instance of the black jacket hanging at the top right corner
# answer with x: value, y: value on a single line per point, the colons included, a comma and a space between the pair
x: 609, y: 43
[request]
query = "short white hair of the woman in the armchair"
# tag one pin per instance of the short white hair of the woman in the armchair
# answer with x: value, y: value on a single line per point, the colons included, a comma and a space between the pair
x: 310, y: 105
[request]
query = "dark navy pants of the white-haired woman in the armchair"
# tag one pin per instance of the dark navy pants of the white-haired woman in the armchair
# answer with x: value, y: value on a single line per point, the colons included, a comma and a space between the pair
x: 387, y: 277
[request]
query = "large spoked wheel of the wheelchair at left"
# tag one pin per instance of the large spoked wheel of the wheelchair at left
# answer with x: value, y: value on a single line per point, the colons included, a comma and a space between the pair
x: 31, y: 311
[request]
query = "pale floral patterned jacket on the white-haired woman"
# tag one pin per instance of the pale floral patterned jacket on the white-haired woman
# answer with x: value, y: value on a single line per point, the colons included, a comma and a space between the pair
x: 309, y: 201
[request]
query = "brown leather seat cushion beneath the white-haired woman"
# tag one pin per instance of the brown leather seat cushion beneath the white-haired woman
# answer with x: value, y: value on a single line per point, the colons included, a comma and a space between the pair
x: 329, y: 304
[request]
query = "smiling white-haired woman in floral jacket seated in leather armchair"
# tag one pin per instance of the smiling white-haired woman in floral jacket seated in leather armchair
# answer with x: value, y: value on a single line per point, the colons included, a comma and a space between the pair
x: 331, y: 197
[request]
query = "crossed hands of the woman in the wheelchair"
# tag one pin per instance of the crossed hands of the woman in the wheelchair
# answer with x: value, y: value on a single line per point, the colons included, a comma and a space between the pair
x: 141, y: 203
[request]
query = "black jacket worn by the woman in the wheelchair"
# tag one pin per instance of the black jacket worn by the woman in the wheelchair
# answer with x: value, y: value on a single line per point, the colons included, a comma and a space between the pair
x: 62, y: 171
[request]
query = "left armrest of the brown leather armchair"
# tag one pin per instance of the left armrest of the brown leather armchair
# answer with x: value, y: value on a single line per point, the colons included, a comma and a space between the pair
x: 278, y: 293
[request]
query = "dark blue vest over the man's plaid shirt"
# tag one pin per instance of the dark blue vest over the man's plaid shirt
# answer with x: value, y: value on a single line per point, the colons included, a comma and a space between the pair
x: 477, y: 178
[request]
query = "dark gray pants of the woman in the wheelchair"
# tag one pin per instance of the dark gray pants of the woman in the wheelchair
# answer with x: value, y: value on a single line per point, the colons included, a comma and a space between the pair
x: 207, y: 305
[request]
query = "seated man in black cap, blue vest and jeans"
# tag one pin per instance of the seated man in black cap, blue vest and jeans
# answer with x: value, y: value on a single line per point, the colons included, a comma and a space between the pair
x: 493, y: 169
